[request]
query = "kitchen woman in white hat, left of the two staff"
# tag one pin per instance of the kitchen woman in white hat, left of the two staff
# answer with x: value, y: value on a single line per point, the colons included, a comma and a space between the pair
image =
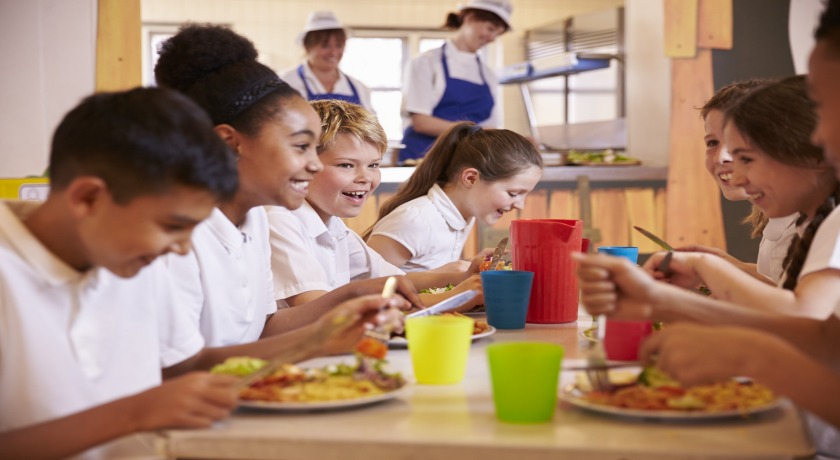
x: 323, y: 38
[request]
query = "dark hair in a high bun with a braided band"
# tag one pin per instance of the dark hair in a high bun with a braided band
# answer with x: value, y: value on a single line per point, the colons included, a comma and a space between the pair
x: 218, y: 69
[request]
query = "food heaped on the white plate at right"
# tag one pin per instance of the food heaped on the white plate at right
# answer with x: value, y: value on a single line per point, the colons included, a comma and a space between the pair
x: 654, y: 396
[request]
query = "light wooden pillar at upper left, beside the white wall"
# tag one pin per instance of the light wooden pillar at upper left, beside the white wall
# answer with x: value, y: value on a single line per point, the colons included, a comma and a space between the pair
x: 118, y: 45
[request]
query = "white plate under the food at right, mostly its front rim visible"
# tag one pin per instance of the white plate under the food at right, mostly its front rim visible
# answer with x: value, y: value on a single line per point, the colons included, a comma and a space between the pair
x: 575, y: 396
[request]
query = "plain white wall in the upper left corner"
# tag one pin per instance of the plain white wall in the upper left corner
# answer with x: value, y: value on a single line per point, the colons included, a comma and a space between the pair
x: 48, y: 53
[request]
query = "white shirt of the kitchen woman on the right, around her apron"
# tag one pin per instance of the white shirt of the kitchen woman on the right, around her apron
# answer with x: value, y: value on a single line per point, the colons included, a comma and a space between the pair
x: 425, y: 82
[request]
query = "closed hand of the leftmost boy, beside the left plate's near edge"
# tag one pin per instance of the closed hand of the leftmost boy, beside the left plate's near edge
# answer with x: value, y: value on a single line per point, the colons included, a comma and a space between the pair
x: 194, y: 400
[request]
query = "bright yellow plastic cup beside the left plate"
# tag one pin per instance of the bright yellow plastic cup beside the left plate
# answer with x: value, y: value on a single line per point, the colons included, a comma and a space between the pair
x: 439, y: 346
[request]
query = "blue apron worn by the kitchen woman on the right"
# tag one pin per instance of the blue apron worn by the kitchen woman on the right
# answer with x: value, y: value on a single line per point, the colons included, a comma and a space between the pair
x: 461, y: 101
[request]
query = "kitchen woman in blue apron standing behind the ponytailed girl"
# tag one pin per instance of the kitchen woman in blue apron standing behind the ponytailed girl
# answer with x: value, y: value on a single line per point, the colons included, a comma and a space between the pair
x: 451, y: 84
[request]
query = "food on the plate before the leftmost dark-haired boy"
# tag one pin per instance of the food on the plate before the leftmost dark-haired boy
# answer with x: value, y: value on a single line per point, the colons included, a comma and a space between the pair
x: 331, y: 387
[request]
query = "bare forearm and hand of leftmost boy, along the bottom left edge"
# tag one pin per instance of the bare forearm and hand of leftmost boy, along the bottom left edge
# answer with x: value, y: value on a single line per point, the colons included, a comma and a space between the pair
x: 192, y: 401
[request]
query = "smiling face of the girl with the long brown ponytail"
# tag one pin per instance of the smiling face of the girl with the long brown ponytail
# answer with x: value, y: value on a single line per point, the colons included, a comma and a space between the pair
x: 489, y: 201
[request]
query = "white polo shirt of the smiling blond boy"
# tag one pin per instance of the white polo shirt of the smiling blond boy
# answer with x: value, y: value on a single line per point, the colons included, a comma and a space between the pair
x: 308, y: 255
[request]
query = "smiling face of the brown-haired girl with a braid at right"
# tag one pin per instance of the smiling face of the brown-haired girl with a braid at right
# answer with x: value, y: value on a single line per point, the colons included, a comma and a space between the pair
x: 777, y: 188
